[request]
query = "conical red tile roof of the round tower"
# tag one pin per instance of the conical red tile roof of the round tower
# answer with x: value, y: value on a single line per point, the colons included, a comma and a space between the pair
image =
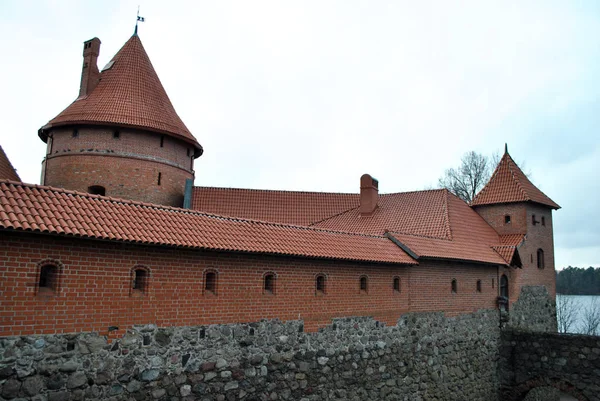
x: 129, y: 94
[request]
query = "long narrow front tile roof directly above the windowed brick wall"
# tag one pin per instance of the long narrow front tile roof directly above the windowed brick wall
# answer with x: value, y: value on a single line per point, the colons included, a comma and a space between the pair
x: 32, y: 208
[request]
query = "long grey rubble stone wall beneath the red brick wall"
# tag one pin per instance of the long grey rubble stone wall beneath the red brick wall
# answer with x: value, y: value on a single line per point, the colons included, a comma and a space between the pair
x: 423, y: 357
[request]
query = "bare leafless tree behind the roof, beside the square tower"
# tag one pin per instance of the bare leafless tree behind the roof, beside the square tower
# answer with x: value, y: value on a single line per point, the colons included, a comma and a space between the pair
x: 468, y: 179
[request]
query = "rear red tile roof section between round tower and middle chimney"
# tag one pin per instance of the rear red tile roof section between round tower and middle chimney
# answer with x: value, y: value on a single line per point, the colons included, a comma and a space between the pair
x: 288, y: 207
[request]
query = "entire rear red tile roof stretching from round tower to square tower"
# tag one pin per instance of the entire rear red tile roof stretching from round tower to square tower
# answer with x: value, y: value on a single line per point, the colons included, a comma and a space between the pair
x: 432, y: 224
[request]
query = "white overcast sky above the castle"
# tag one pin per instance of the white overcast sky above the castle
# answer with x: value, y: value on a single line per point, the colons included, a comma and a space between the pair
x: 309, y: 95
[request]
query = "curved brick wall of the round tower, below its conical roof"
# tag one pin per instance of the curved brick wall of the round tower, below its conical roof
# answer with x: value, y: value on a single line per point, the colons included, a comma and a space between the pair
x: 127, y: 167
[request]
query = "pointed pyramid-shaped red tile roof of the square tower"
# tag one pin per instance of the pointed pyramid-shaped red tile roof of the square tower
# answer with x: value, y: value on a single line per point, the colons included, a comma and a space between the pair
x: 509, y: 184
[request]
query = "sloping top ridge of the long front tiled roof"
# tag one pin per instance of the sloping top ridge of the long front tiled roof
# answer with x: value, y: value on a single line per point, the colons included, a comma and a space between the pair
x: 181, y: 210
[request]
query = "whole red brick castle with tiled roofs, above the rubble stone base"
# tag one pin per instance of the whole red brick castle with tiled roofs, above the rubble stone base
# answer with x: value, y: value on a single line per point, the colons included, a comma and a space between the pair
x: 116, y: 235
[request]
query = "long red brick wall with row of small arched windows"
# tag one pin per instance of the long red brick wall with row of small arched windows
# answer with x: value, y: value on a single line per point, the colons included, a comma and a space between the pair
x: 94, y: 290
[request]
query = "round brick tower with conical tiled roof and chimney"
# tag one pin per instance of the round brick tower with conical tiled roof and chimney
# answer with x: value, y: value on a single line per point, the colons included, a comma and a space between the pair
x: 121, y: 137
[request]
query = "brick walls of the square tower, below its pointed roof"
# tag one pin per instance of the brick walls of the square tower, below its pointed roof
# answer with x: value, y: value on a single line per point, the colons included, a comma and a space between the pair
x: 537, y: 236
